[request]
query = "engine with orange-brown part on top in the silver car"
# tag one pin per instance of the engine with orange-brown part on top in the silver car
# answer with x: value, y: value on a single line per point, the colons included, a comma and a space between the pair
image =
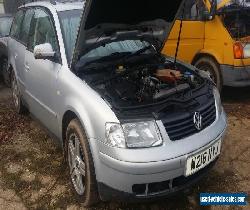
x: 147, y: 85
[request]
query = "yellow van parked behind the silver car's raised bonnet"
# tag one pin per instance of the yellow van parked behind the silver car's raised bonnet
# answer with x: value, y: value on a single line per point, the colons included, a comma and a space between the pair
x: 217, y: 42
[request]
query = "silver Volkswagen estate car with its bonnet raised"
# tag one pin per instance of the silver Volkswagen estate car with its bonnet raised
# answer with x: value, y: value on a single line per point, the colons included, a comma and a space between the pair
x: 133, y: 123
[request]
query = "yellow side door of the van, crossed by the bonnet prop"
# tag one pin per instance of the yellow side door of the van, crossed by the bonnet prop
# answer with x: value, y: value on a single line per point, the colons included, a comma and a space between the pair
x: 192, y: 34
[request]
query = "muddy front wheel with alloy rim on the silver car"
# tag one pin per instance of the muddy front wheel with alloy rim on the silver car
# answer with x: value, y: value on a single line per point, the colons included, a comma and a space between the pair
x: 80, y: 164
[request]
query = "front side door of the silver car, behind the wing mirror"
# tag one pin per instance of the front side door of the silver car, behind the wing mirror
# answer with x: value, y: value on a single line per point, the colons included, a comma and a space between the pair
x: 41, y: 74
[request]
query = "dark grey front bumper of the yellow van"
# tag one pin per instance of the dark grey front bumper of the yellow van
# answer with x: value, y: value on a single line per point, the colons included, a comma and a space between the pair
x: 235, y: 76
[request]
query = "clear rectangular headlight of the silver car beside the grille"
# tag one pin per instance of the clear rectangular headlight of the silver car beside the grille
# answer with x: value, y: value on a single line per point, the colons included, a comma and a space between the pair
x: 133, y: 135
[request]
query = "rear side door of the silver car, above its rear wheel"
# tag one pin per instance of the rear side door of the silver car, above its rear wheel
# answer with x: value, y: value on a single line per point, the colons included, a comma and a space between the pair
x: 17, y: 48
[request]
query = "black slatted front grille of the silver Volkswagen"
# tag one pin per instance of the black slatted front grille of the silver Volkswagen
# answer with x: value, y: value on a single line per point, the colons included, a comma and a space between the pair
x: 182, y: 125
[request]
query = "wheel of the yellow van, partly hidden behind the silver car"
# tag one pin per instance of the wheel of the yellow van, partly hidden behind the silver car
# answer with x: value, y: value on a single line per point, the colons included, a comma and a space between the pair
x: 209, y: 65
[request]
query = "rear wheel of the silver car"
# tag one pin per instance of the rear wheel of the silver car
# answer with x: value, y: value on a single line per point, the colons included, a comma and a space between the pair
x: 16, y: 96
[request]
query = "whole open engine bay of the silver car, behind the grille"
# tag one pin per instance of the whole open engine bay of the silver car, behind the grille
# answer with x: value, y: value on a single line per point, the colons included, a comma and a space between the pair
x: 142, y: 82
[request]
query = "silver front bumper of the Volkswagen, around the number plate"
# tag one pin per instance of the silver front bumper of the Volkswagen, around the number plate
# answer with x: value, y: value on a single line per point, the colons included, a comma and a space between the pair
x: 119, y: 178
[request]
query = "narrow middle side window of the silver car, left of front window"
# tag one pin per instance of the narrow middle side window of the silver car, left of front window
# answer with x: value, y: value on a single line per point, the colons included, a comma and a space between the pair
x: 26, y: 25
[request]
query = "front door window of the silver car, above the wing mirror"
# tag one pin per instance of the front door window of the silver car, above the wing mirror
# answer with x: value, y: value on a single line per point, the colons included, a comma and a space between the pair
x: 42, y: 31
